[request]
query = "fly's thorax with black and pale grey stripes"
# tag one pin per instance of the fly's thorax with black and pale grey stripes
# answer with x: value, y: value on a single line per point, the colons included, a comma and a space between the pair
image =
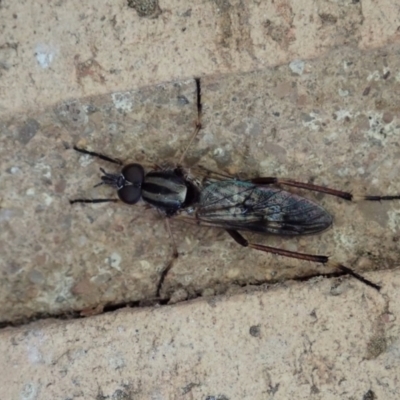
x: 165, y: 190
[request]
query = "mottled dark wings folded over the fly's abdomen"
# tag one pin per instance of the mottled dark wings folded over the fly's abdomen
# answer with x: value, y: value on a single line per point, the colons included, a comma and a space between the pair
x: 234, y: 204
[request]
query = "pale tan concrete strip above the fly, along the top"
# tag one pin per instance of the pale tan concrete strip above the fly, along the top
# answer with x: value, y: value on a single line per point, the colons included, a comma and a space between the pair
x: 53, y: 51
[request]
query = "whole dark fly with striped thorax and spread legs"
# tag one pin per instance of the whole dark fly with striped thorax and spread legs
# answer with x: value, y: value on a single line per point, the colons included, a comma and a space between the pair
x: 217, y: 200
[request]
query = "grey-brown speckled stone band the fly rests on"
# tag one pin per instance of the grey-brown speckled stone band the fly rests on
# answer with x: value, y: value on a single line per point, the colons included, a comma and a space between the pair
x: 311, y: 124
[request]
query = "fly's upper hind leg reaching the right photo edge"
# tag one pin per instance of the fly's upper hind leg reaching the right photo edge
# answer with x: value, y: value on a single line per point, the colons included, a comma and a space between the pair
x: 321, y: 189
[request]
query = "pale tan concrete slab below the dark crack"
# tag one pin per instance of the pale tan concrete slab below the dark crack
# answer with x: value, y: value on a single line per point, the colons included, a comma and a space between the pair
x: 310, y: 342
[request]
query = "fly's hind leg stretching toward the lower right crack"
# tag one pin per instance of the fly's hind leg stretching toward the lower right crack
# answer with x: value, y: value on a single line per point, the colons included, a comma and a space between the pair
x: 314, y: 258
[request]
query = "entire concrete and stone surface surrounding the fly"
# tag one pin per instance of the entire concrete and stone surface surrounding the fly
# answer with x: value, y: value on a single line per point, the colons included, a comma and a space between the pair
x: 311, y: 93
